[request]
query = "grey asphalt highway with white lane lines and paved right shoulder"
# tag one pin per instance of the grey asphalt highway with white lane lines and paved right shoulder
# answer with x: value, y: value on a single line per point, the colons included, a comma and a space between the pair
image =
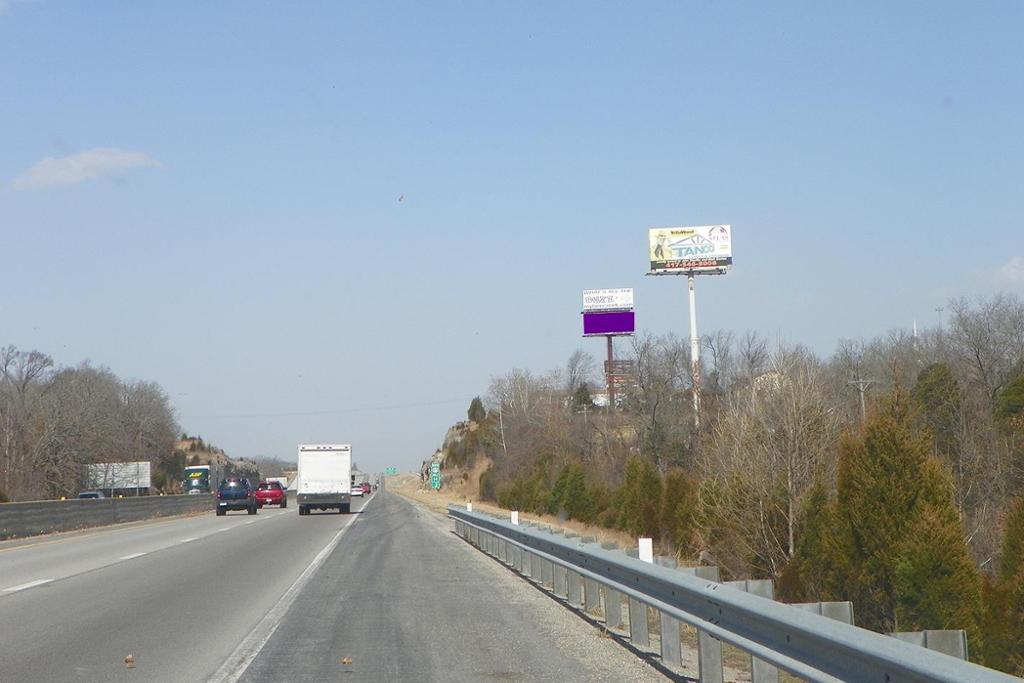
x: 385, y: 594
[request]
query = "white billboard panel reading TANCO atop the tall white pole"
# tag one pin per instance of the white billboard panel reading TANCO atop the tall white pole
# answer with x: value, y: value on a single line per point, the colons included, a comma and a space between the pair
x: 693, y: 249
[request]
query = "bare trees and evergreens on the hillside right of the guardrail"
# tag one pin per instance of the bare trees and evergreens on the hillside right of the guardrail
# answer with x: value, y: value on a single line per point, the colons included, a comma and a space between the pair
x: 890, y: 474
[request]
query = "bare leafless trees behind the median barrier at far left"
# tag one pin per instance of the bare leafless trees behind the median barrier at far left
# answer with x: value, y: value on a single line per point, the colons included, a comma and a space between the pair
x: 57, y: 420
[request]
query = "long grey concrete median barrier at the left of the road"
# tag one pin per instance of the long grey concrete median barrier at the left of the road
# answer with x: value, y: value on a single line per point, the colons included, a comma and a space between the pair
x: 33, y: 519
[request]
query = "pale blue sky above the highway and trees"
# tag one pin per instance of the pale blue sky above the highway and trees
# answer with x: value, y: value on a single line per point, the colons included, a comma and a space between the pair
x: 297, y: 208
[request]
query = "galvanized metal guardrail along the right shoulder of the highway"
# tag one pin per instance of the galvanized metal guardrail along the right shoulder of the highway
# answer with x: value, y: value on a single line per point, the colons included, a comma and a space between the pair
x: 809, y: 647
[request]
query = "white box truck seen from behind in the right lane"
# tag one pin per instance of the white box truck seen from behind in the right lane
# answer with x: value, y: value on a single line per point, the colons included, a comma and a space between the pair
x: 325, y: 474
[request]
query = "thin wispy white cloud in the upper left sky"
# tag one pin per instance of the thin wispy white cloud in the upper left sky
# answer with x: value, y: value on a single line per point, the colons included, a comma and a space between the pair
x: 81, y: 167
